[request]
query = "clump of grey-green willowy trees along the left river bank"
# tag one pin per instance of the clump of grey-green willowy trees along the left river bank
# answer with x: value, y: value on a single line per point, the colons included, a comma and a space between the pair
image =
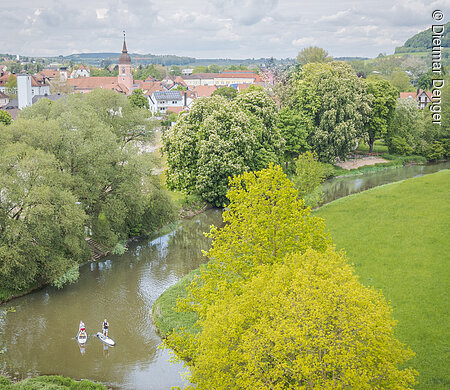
x: 68, y: 169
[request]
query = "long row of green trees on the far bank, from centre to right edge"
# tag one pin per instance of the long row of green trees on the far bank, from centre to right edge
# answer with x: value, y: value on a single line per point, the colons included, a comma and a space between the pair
x: 324, y: 107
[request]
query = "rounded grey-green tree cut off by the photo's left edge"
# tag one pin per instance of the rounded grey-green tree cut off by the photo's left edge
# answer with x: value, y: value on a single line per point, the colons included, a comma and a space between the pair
x: 41, y: 224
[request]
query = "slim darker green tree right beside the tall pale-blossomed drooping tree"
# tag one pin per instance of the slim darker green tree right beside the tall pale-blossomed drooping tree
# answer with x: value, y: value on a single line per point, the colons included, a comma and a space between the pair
x: 383, y: 101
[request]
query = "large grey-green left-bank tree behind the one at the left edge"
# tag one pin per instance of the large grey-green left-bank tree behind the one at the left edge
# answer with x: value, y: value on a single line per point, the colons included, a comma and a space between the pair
x: 96, y: 139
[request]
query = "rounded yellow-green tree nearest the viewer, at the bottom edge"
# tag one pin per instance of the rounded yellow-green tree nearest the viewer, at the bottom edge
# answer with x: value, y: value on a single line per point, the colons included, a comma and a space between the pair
x: 304, y: 323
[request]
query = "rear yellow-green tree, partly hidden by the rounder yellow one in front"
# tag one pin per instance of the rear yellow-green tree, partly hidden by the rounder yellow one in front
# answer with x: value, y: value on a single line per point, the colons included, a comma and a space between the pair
x: 264, y: 221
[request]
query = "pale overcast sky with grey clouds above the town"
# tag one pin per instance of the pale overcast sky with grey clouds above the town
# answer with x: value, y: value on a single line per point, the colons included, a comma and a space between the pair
x: 214, y: 28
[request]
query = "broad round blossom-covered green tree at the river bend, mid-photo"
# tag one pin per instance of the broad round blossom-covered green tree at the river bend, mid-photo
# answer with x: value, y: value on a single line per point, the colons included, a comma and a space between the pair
x: 220, y: 138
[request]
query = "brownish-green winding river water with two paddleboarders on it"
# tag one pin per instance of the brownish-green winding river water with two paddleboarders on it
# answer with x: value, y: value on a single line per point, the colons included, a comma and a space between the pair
x: 37, y: 338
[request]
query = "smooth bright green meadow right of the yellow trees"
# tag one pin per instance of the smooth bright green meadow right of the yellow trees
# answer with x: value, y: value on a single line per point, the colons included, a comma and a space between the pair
x: 397, y: 236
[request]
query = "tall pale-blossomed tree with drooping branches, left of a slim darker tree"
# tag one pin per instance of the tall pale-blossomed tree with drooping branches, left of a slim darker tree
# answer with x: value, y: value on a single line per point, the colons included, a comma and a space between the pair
x: 334, y: 105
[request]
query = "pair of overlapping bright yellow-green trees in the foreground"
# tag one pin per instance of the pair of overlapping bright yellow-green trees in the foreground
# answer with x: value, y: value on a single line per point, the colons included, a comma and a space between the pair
x: 279, y: 308
